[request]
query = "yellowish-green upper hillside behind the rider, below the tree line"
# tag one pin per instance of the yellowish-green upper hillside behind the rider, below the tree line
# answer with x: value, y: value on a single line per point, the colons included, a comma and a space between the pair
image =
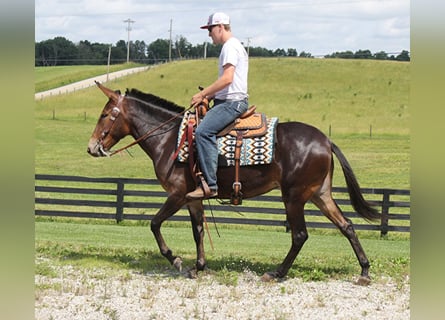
x: 349, y: 95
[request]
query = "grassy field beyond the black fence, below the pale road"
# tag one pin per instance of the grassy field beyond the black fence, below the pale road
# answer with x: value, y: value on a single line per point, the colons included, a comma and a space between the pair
x: 348, y: 96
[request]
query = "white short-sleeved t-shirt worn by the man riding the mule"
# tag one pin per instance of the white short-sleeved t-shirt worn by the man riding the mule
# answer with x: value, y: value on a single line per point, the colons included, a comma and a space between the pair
x: 234, y: 53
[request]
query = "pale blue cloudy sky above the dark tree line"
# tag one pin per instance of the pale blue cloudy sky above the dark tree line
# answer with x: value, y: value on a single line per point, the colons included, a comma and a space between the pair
x: 318, y: 27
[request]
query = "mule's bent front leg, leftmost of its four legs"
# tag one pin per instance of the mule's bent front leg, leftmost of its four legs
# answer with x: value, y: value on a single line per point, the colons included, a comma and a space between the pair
x: 170, y: 207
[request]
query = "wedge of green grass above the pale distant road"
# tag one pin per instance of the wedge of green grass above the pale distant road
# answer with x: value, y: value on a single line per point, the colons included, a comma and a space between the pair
x: 47, y: 78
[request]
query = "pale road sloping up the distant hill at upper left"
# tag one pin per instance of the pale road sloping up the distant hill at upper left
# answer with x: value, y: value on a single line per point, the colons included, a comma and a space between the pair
x: 87, y: 82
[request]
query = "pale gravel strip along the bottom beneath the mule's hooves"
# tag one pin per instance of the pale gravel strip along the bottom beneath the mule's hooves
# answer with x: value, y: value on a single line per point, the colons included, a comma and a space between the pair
x: 71, y: 293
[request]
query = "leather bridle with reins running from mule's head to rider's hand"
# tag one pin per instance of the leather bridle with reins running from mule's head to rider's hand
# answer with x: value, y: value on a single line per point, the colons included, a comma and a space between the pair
x: 115, y: 112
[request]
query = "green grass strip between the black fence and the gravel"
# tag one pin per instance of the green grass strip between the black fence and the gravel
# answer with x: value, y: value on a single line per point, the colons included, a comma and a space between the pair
x: 132, y: 247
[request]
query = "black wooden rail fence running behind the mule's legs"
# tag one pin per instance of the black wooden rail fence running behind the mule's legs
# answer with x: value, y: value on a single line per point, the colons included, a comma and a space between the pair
x: 140, y: 199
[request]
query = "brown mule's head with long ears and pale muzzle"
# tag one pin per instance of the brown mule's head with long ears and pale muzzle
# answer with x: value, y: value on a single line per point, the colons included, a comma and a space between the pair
x: 111, y: 126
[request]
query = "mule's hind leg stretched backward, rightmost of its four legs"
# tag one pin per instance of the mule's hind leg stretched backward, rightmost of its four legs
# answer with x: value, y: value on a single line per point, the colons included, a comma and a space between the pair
x: 330, y: 209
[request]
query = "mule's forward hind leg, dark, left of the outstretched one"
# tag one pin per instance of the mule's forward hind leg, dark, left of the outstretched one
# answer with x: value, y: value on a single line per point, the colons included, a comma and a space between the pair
x: 299, y: 235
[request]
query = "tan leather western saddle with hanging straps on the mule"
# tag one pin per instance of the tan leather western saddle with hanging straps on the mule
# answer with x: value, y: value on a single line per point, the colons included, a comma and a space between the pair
x: 249, y: 124
